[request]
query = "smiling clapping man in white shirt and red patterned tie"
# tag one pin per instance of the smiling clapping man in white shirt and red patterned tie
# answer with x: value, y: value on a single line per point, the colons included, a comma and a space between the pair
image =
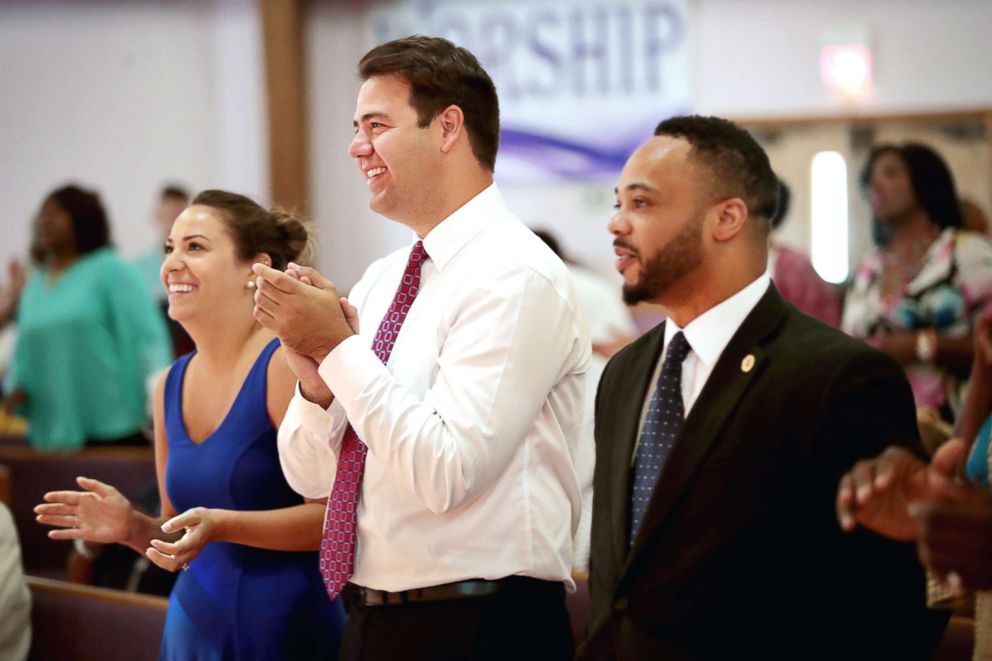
x: 470, y: 497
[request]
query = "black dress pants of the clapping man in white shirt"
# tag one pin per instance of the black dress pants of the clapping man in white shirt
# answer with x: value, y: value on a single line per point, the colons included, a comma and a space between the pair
x: 524, y: 619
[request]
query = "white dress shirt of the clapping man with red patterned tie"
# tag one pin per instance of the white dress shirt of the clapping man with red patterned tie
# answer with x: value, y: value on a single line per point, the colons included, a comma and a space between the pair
x: 473, y: 426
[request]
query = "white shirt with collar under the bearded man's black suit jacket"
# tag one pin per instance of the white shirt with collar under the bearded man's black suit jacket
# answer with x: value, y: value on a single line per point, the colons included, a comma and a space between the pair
x: 708, y: 335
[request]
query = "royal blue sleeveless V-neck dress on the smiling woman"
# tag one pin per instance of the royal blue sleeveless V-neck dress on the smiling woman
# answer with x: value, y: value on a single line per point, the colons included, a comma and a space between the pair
x: 235, y: 601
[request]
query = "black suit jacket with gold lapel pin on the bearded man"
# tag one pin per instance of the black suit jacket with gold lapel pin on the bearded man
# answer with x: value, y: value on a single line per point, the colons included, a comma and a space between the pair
x: 740, y: 554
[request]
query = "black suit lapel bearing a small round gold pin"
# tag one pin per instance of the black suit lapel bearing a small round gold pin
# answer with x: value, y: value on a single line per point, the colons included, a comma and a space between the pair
x: 725, y: 386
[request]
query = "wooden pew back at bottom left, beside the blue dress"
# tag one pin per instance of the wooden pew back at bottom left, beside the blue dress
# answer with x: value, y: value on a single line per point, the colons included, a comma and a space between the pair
x: 83, y: 623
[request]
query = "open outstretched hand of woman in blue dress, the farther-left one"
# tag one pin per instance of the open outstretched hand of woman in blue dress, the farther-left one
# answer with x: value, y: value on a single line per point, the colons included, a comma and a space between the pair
x: 98, y: 514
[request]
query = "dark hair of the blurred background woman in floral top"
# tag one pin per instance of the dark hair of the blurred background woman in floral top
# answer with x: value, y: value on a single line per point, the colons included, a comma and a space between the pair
x: 931, y: 179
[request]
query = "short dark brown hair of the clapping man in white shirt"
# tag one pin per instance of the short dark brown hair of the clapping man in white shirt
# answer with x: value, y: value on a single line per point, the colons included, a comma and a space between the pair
x: 441, y: 74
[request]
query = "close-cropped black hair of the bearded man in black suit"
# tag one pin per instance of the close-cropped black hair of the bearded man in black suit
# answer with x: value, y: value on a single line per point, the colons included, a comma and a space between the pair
x: 737, y: 163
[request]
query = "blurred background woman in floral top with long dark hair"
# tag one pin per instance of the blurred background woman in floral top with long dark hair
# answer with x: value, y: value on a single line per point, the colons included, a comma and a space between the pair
x: 917, y: 296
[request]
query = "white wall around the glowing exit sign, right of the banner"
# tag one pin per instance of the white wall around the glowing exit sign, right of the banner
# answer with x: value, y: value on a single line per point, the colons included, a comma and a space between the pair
x: 762, y: 58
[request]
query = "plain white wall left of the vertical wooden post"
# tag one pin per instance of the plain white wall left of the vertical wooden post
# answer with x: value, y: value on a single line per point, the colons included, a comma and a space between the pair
x: 122, y: 97
